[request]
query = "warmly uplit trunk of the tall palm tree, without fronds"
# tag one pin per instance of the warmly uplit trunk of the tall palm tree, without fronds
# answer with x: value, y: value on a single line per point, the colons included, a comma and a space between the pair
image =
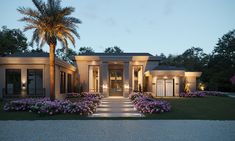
x: 52, y: 71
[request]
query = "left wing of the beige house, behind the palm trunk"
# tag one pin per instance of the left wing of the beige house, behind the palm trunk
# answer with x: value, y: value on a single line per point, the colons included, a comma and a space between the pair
x: 27, y: 75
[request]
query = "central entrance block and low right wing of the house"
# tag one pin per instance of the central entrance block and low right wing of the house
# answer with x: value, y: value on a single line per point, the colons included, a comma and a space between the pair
x: 122, y: 74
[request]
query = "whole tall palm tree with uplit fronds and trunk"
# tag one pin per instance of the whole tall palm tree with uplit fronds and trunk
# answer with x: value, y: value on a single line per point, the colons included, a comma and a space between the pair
x: 51, y: 23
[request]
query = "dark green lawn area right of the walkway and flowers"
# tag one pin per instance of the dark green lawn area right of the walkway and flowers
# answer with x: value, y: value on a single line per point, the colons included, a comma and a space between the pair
x: 210, y: 107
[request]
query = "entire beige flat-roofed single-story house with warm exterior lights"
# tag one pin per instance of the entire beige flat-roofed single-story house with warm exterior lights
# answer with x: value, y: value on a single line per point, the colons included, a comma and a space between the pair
x: 27, y: 74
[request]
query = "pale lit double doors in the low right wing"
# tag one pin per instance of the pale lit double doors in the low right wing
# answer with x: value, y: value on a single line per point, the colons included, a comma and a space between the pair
x: 165, y: 87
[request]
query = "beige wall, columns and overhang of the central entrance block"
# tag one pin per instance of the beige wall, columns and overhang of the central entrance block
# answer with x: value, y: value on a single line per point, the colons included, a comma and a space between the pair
x: 104, y: 62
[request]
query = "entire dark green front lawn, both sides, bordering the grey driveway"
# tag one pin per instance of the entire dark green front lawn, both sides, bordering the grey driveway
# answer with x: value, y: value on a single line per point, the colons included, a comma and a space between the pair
x: 209, y: 108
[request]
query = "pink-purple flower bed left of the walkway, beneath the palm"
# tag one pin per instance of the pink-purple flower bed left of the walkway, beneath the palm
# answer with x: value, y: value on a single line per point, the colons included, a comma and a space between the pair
x: 86, y: 106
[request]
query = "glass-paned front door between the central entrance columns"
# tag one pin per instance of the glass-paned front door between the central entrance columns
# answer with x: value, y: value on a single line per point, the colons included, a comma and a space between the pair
x: 116, y: 82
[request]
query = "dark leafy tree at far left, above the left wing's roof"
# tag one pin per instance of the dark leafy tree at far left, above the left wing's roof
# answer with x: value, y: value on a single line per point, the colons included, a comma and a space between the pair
x: 12, y: 41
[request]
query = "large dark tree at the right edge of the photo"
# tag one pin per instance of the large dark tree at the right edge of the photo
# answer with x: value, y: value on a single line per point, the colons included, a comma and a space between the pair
x: 221, y: 65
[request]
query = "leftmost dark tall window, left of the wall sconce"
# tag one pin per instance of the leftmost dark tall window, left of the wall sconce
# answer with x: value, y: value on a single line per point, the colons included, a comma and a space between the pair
x: 13, y: 81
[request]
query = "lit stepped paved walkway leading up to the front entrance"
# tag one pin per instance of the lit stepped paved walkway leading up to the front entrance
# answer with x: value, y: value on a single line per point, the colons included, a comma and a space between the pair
x: 116, y: 107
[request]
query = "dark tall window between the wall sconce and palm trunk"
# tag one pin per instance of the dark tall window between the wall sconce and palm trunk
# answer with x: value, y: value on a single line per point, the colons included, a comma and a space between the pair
x: 35, y: 81
